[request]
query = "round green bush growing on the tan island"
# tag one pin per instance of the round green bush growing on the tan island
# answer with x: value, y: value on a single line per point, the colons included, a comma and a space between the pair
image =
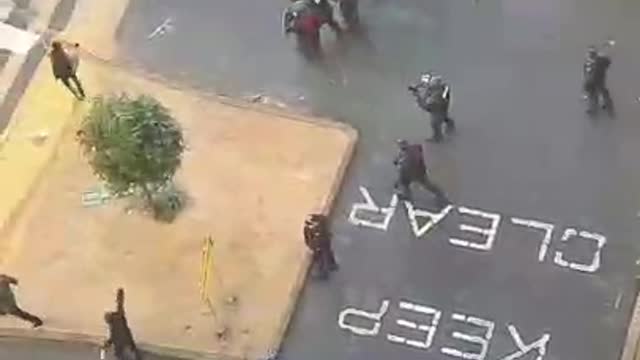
x: 135, y: 146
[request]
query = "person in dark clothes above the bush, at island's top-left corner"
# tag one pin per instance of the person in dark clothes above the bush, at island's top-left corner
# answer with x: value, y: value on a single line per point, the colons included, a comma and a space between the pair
x: 65, y: 66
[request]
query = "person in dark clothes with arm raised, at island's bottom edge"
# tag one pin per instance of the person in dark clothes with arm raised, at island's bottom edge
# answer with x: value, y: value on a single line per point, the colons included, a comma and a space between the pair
x: 120, y: 336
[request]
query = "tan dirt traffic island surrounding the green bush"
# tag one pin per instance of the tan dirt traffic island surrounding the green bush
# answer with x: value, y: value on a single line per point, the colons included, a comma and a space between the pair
x: 223, y: 278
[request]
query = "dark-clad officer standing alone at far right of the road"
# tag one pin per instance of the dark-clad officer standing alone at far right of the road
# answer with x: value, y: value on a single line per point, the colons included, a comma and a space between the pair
x: 595, y: 76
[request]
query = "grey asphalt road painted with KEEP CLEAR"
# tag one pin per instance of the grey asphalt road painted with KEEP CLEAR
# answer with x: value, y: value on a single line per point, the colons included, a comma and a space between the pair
x: 524, y: 150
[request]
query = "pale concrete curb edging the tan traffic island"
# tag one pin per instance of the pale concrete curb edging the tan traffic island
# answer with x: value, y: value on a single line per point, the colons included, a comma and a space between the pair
x: 326, y: 206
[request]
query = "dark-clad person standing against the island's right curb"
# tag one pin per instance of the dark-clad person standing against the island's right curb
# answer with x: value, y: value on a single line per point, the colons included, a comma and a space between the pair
x: 317, y: 237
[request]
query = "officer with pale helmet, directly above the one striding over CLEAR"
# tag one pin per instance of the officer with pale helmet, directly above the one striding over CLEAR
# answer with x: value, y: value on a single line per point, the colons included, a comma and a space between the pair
x: 434, y: 96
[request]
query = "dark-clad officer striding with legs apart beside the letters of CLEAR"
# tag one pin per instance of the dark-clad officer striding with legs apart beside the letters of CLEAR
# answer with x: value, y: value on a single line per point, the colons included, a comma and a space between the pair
x: 411, y: 168
